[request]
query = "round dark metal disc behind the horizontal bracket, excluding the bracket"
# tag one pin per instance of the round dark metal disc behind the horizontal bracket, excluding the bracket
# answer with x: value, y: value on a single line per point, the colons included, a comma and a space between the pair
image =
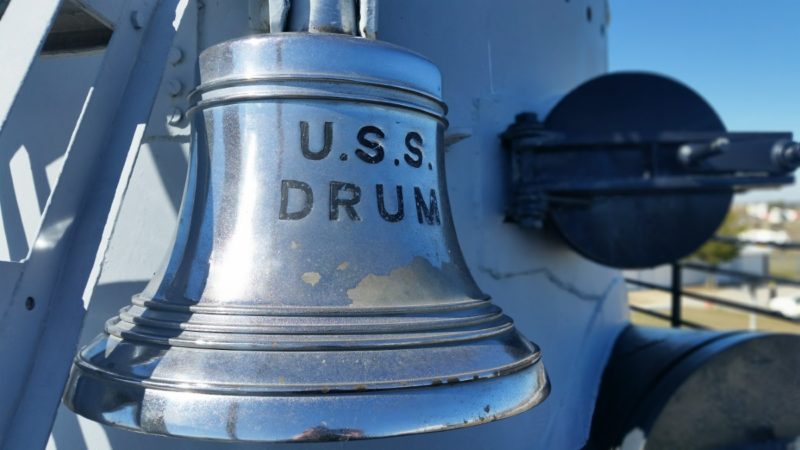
x: 647, y: 228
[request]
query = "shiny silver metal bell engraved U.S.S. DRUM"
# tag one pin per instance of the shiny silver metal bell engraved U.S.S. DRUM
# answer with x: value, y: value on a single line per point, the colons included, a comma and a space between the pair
x: 315, y: 290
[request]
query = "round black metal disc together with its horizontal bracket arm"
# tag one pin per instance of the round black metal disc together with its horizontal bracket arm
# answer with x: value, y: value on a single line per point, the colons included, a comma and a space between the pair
x: 635, y: 170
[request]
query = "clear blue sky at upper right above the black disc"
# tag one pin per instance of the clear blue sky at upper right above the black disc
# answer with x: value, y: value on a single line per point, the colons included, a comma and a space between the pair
x: 743, y: 56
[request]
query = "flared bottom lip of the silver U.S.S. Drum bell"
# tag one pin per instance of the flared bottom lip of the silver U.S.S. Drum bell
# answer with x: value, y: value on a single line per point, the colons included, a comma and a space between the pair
x: 391, y: 412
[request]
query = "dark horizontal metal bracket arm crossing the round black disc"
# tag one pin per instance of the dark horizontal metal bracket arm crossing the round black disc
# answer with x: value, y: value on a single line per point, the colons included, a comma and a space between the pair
x: 690, y: 161
